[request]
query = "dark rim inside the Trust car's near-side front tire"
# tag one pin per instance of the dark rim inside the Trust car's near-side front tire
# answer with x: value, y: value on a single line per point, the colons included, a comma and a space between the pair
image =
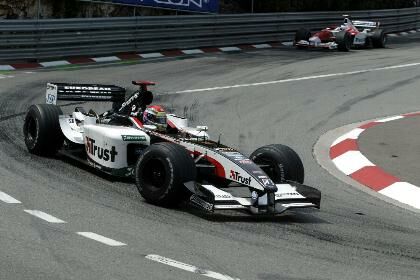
x: 154, y: 174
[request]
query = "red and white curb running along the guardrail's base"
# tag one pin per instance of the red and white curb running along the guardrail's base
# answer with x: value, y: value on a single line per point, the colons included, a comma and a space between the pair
x: 133, y: 56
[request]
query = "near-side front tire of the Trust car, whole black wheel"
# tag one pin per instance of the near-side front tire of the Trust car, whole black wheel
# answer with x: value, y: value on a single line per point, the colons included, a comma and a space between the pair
x: 161, y: 171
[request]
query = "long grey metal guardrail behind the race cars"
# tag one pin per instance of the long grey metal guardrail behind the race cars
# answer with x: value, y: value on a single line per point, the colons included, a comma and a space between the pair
x: 55, y: 38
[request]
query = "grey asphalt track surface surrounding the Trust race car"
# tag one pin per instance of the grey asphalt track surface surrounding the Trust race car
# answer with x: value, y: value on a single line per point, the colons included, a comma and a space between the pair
x: 353, y: 236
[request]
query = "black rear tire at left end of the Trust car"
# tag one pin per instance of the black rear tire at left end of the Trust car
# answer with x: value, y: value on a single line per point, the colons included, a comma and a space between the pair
x: 41, y: 129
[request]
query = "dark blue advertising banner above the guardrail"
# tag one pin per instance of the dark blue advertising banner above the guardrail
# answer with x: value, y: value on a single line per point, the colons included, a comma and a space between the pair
x: 204, y: 6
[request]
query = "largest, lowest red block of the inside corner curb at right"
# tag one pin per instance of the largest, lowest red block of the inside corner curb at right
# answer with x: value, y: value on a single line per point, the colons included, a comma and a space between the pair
x: 374, y: 178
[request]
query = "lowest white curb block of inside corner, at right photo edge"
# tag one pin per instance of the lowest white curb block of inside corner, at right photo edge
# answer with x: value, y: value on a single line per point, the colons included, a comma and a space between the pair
x: 403, y: 192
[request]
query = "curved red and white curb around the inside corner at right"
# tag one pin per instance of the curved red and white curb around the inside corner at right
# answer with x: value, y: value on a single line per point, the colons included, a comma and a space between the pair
x: 345, y: 154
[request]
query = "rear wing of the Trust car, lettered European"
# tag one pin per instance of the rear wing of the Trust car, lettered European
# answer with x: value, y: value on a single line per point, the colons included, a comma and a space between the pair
x: 85, y: 92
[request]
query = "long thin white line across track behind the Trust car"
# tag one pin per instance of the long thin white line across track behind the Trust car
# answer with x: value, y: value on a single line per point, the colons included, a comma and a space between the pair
x: 301, y: 78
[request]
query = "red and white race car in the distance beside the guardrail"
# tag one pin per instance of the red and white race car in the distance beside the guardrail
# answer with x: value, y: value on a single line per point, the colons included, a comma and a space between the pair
x: 344, y: 37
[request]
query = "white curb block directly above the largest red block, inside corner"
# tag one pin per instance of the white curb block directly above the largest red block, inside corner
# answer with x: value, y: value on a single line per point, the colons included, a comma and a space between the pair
x: 351, y: 161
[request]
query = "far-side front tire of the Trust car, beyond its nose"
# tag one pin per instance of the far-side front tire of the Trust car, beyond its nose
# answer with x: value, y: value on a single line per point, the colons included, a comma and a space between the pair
x: 280, y: 163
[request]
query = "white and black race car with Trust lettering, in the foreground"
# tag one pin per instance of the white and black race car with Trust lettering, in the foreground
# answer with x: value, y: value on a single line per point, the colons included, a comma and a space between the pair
x: 170, y: 165
